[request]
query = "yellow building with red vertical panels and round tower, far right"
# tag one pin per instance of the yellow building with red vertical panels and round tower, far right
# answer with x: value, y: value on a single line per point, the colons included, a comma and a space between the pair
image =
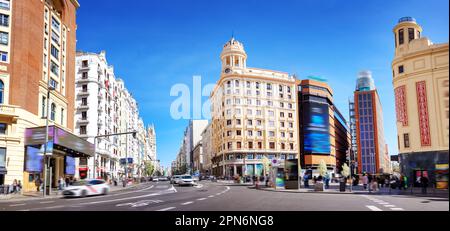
x: 421, y: 84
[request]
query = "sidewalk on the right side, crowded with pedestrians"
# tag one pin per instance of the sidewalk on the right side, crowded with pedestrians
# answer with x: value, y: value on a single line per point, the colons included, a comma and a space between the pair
x: 334, y: 189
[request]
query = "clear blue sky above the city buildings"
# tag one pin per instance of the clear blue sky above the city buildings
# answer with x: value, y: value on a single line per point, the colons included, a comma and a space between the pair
x: 158, y: 43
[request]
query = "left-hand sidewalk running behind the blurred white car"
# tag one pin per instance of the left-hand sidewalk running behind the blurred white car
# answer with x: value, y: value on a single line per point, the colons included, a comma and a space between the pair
x: 55, y: 194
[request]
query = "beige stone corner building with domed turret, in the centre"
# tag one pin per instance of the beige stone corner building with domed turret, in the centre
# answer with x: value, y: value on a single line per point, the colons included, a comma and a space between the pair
x: 253, y: 115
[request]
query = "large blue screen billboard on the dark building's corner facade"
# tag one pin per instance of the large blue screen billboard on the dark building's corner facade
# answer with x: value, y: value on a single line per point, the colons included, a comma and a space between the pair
x: 316, y: 130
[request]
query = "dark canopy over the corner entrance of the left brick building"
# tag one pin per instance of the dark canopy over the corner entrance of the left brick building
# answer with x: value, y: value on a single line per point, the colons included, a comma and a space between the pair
x: 59, y: 139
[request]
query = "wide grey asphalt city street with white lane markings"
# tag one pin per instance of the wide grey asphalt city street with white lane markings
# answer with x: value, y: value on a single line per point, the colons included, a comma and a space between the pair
x: 208, y: 196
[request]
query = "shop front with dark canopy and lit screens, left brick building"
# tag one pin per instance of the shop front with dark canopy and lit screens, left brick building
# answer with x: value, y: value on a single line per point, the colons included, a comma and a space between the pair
x: 63, y: 148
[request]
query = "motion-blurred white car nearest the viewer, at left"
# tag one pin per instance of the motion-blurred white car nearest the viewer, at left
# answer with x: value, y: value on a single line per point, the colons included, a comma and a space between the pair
x: 87, y: 188
